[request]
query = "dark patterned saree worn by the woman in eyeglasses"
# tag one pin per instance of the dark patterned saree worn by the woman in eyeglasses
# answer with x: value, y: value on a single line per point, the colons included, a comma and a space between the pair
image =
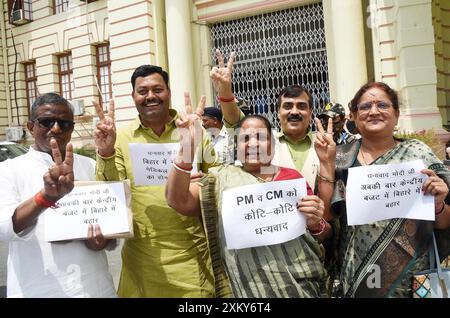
x: 379, y: 259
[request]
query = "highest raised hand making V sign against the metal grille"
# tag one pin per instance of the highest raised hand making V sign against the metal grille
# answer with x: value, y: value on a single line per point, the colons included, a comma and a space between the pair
x: 221, y: 75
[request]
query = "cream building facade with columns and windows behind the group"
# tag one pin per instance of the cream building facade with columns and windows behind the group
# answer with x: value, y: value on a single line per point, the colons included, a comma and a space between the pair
x: 87, y: 50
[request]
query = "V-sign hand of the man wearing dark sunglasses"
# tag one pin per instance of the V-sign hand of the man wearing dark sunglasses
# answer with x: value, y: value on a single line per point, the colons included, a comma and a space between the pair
x: 58, y: 180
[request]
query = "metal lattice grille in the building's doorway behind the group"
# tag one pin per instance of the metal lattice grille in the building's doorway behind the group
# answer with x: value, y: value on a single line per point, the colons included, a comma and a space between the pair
x: 275, y: 50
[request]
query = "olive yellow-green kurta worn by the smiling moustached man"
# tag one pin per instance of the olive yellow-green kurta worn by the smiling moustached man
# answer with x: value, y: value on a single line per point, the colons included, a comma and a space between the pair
x: 168, y: 256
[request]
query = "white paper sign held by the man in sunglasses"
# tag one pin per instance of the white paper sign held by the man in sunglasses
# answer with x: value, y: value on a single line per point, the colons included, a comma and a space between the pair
x: 91, y: 202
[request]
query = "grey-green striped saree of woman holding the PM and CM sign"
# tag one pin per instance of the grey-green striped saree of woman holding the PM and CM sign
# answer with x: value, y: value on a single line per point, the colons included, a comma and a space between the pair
x: 287, y: 270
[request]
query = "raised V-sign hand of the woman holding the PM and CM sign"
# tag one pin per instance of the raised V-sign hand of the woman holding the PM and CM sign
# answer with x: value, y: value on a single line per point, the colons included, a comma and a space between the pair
x: 190, y: 128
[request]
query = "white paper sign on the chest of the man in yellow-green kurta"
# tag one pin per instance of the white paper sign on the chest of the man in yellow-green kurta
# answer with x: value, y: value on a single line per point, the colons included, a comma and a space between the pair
x: 152, y: 162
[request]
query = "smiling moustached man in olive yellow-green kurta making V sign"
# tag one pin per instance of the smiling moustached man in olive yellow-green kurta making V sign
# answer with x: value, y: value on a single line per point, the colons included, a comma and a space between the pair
x: 168, y: 256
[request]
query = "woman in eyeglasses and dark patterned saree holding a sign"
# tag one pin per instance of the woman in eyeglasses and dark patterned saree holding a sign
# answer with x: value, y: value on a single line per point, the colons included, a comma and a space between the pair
x: 393, y: 249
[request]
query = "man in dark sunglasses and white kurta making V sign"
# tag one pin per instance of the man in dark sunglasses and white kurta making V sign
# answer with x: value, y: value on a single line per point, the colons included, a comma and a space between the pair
x: 31, y: 184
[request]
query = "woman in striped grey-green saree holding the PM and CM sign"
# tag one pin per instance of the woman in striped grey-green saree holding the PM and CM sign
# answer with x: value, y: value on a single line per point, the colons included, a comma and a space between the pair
x: 291, y: 269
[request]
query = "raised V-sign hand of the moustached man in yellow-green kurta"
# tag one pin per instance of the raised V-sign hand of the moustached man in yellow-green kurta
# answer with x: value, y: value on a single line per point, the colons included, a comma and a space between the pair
x: 105, y: 130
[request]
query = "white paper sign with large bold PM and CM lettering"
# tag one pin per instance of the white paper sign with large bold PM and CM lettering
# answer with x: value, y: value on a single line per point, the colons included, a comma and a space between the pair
x: 263, y: 214
